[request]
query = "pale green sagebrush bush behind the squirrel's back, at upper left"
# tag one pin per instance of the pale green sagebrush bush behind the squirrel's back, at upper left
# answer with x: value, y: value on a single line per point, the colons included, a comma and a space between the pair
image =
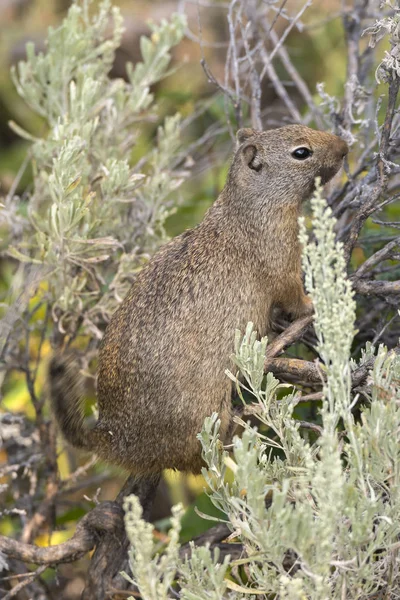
x: 84, y: 186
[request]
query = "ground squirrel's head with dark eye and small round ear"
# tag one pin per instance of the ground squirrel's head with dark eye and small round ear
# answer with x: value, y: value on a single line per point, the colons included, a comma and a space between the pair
x: 283, y: 163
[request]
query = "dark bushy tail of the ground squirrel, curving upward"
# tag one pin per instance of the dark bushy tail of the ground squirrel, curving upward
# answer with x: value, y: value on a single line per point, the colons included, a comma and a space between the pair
x: 66, y: 392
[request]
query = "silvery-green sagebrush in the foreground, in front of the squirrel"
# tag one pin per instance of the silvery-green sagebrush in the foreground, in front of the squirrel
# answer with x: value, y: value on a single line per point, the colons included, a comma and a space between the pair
x: 317, y: 520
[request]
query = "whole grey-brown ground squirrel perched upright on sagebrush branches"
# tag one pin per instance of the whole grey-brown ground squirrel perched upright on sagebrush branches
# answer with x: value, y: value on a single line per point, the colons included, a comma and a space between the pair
x: 163, y: 356
